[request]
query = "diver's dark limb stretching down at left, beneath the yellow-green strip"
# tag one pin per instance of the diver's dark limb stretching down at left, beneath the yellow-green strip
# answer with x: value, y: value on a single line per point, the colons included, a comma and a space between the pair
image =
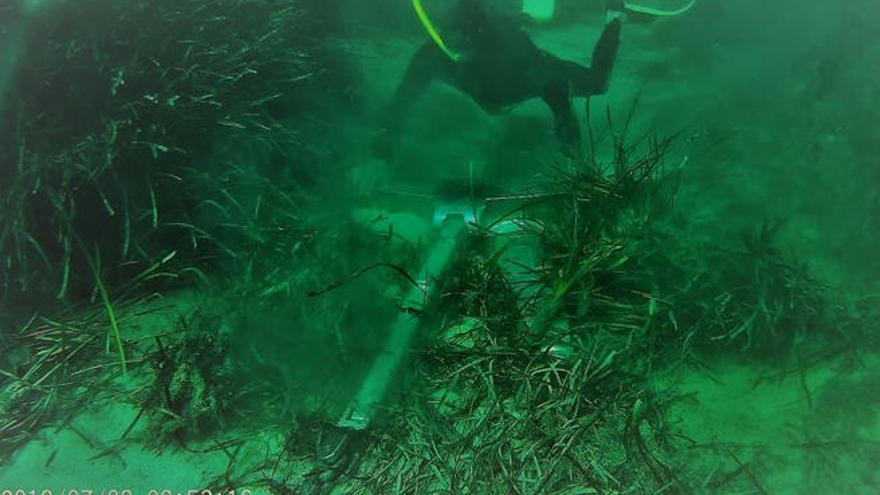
x: 427, y: 64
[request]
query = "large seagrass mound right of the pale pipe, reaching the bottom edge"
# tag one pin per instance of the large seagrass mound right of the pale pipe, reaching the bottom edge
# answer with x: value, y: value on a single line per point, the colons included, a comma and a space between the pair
x: 556, y: 401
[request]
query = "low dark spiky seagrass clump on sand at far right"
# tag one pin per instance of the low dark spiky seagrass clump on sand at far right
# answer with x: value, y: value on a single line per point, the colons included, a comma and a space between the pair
x: 762, y: 300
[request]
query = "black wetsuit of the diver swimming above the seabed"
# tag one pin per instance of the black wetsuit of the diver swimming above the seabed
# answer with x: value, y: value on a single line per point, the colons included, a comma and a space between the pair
x: 500, y: 67
